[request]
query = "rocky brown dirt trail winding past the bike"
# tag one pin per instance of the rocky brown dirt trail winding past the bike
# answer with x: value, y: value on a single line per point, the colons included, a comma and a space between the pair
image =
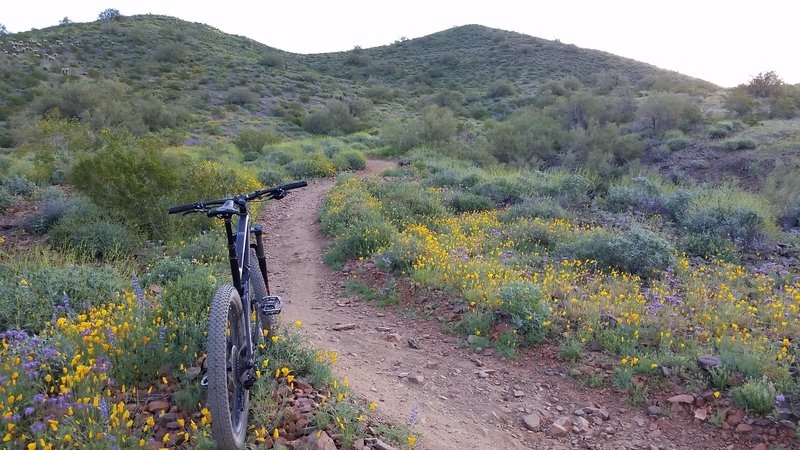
x: 452, y: 406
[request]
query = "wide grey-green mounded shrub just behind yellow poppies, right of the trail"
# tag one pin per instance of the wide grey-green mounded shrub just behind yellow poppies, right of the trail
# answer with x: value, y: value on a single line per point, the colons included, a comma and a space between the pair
x: 637, y: 251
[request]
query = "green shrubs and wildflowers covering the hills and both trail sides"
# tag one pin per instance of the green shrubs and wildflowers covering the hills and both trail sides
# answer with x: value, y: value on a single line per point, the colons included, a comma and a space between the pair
x: 558, y: 196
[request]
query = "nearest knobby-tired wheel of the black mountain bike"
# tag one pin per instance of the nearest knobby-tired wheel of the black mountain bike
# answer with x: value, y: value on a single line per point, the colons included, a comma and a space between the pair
x: 227, y: 398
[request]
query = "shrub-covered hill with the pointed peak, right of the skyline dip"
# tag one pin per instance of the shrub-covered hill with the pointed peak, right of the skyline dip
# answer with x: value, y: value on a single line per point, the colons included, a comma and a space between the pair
x: 472, y: 57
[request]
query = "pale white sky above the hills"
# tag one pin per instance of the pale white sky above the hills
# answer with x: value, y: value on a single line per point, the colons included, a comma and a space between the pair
x: 725, y: 42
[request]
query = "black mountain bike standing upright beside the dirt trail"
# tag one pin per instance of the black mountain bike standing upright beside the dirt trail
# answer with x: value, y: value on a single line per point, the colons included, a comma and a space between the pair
x: 242, y: 314
